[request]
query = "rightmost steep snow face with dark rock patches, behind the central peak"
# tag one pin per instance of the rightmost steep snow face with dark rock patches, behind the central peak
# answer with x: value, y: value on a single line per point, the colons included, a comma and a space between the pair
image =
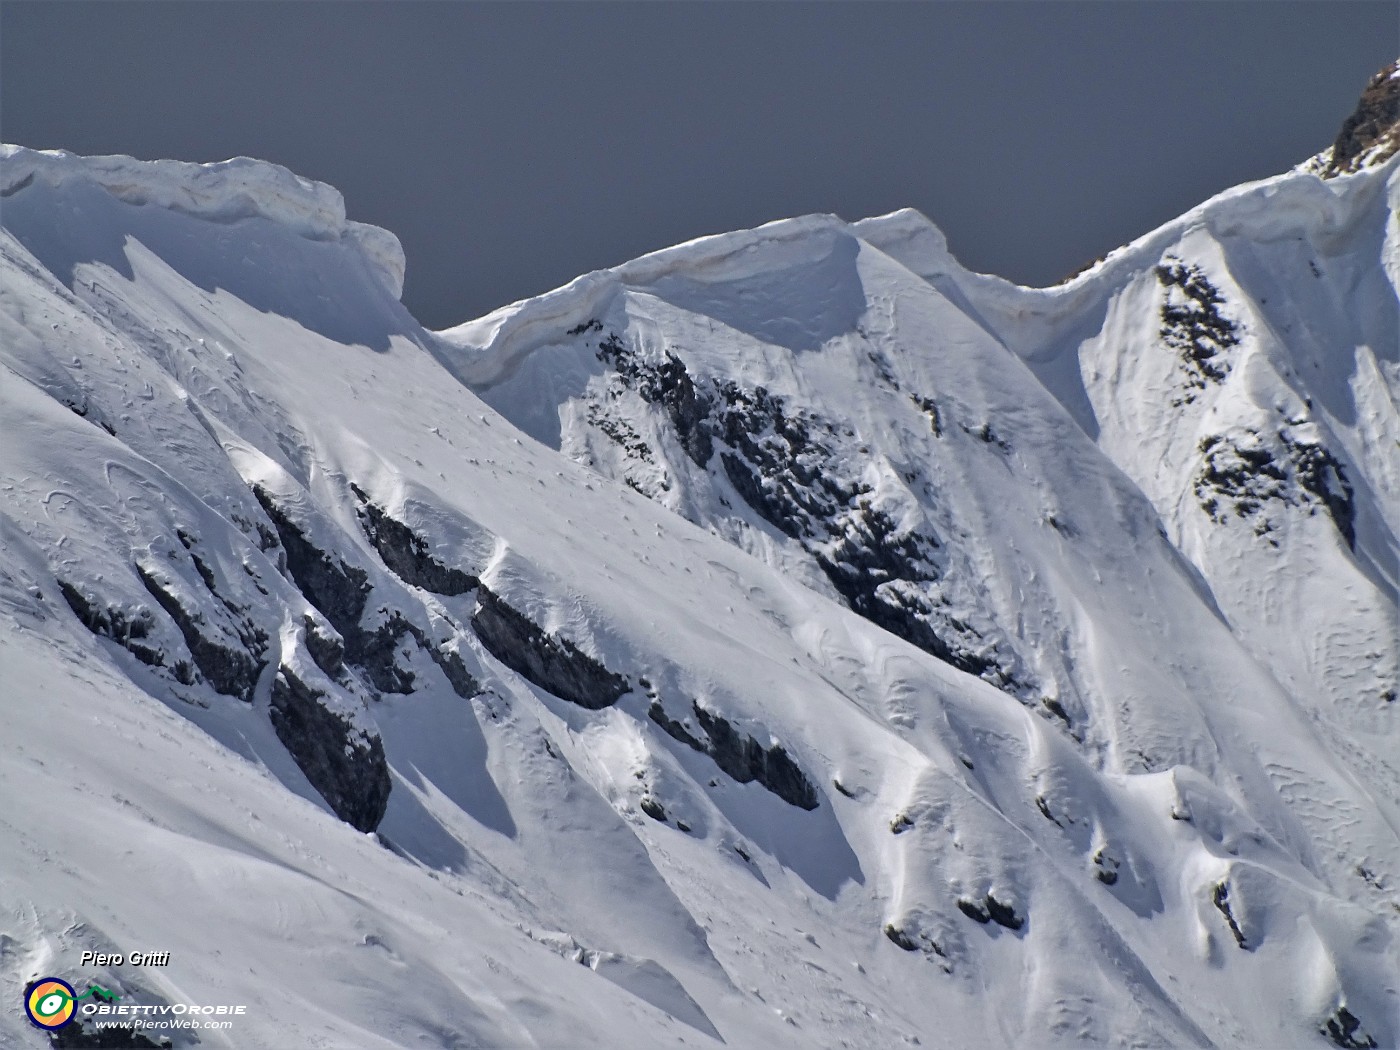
x: 1241, y: 366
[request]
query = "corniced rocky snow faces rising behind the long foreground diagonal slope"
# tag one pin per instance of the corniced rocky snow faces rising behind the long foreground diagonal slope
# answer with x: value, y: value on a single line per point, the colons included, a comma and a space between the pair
x: 1135, y: 503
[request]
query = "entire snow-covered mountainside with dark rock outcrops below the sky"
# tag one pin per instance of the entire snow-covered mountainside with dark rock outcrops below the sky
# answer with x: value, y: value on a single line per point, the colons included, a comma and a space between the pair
x: 787, y: 639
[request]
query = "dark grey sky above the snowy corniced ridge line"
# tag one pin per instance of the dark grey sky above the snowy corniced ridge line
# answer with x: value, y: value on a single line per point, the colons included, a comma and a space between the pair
x: 516, y: 146
